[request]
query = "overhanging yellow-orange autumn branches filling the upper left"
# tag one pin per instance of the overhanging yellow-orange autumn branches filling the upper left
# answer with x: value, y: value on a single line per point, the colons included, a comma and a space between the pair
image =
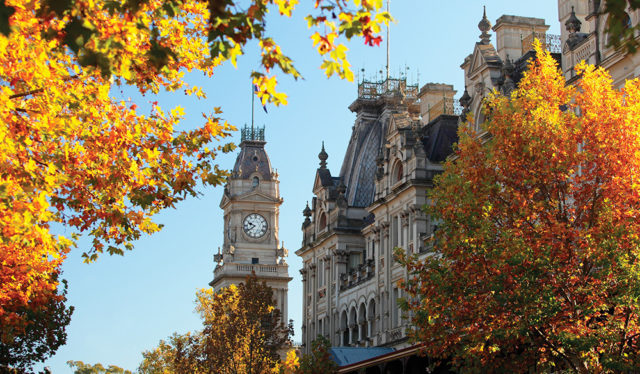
x: 74, y: 156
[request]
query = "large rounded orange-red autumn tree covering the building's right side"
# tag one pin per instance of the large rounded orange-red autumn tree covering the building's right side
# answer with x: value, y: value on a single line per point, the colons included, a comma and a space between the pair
x: 536, y: 260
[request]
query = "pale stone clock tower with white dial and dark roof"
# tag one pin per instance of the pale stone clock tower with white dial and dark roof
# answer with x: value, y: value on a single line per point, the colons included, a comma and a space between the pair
x: 251, y: 204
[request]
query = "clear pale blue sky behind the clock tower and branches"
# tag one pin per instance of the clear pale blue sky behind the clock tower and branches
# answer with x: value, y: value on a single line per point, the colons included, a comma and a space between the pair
x: 125, y: 305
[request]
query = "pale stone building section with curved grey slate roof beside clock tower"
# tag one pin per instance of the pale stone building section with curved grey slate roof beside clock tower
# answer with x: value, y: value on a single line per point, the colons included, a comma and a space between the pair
x: 400, y: 137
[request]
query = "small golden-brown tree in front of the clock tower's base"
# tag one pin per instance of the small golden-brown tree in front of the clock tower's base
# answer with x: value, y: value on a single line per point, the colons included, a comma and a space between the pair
x: 242, y: 334
